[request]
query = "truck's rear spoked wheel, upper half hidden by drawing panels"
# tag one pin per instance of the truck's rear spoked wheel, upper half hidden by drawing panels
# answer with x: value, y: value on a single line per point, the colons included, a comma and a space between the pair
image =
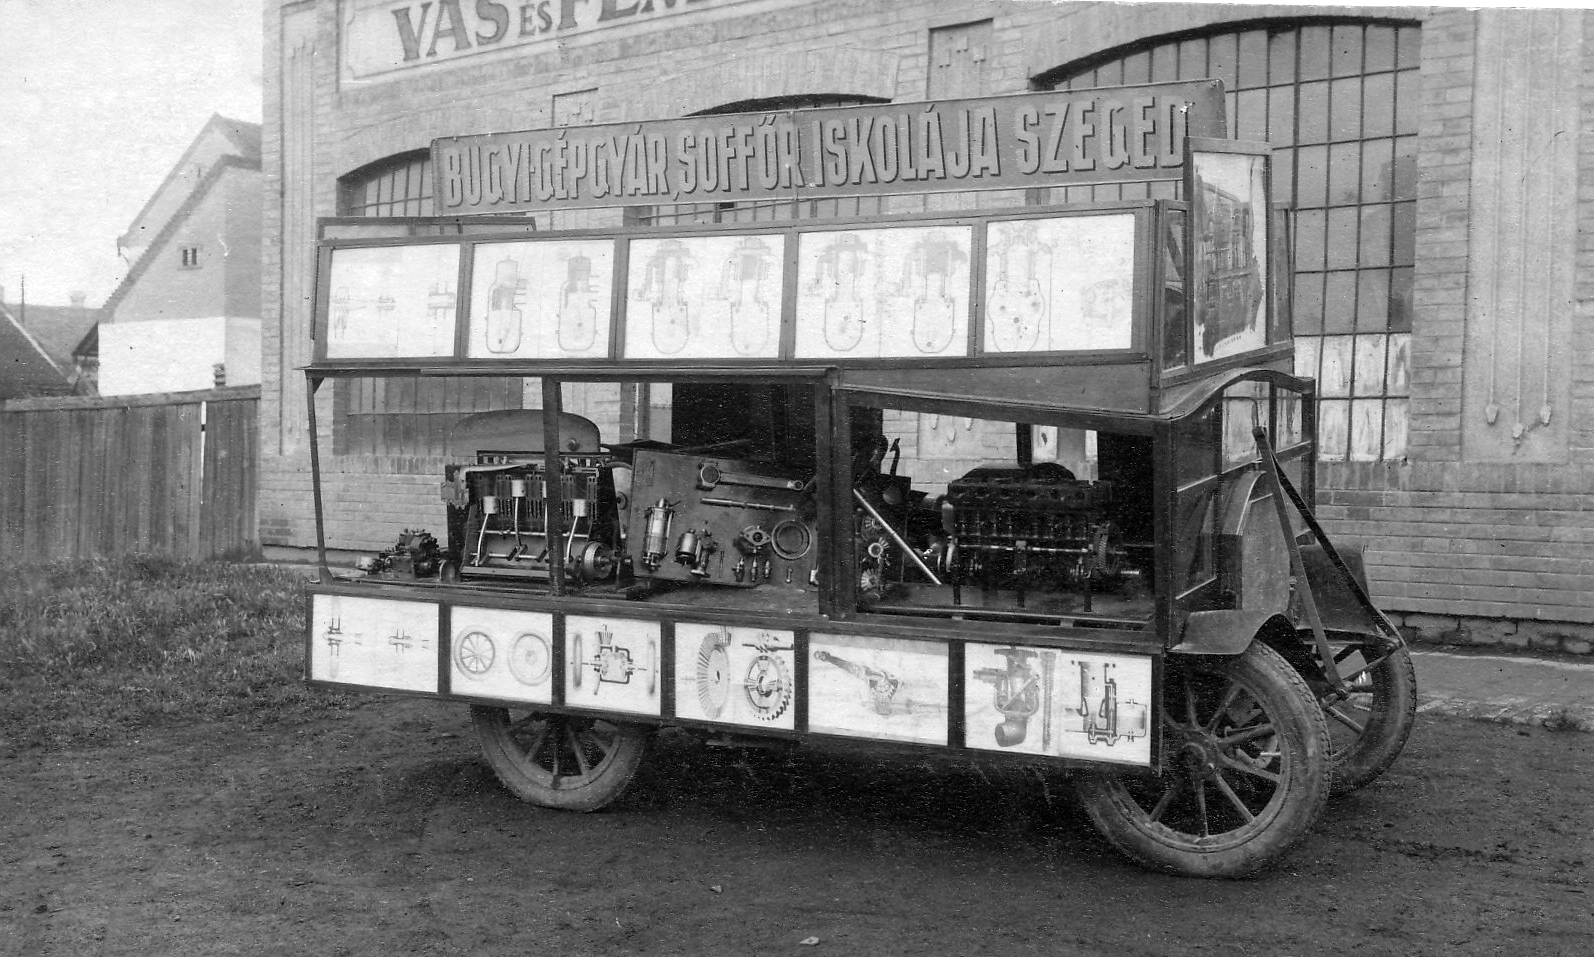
x: 560, y: 762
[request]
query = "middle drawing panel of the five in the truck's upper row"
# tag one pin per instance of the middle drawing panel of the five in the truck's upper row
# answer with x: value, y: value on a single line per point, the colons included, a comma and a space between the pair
x: 705, y: 297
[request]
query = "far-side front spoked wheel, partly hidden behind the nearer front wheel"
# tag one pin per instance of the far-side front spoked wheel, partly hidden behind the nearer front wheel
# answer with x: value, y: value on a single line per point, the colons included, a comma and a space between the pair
x: 1372, y: 725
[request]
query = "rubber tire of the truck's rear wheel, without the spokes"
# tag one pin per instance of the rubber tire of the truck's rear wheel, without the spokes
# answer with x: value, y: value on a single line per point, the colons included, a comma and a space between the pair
x: 535, y: 784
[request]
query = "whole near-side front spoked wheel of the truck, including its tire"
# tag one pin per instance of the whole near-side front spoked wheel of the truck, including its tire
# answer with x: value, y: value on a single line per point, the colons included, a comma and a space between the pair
x: 1246, y: 771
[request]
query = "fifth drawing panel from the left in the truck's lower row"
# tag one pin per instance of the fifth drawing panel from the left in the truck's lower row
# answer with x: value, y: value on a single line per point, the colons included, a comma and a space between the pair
x: 879, y: 688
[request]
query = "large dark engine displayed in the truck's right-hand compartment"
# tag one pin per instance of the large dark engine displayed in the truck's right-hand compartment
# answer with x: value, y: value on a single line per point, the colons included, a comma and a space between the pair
x: 1034, y: 529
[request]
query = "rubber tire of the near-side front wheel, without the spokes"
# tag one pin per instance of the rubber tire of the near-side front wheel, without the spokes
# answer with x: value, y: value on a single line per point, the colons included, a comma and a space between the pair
x: 1289, y: 816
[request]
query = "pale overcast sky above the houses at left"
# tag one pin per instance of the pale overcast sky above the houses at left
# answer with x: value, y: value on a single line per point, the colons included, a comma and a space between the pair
x: 98, y: 101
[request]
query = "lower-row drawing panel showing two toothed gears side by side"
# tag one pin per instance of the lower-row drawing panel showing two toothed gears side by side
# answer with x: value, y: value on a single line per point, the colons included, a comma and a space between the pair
x: 736, y: 675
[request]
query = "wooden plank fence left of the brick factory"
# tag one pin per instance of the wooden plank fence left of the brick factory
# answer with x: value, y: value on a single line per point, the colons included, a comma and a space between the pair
x: 85, y: 478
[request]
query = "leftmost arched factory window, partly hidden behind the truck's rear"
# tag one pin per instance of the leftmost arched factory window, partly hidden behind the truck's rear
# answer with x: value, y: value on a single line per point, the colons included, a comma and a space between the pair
x: 407, y: 417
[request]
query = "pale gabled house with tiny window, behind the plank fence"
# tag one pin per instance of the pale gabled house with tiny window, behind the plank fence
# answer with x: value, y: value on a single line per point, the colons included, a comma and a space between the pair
x: 187, y: 315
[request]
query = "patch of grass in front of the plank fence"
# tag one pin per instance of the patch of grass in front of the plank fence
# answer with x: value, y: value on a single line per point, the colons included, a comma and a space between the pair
x: 95, y: 650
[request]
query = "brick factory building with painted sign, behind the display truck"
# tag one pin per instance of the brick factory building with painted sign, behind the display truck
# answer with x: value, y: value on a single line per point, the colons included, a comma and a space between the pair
x: 1443, y: 277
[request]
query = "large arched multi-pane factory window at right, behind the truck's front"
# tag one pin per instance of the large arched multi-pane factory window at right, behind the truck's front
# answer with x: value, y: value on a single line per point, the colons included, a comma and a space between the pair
x: 1340, y: 101
